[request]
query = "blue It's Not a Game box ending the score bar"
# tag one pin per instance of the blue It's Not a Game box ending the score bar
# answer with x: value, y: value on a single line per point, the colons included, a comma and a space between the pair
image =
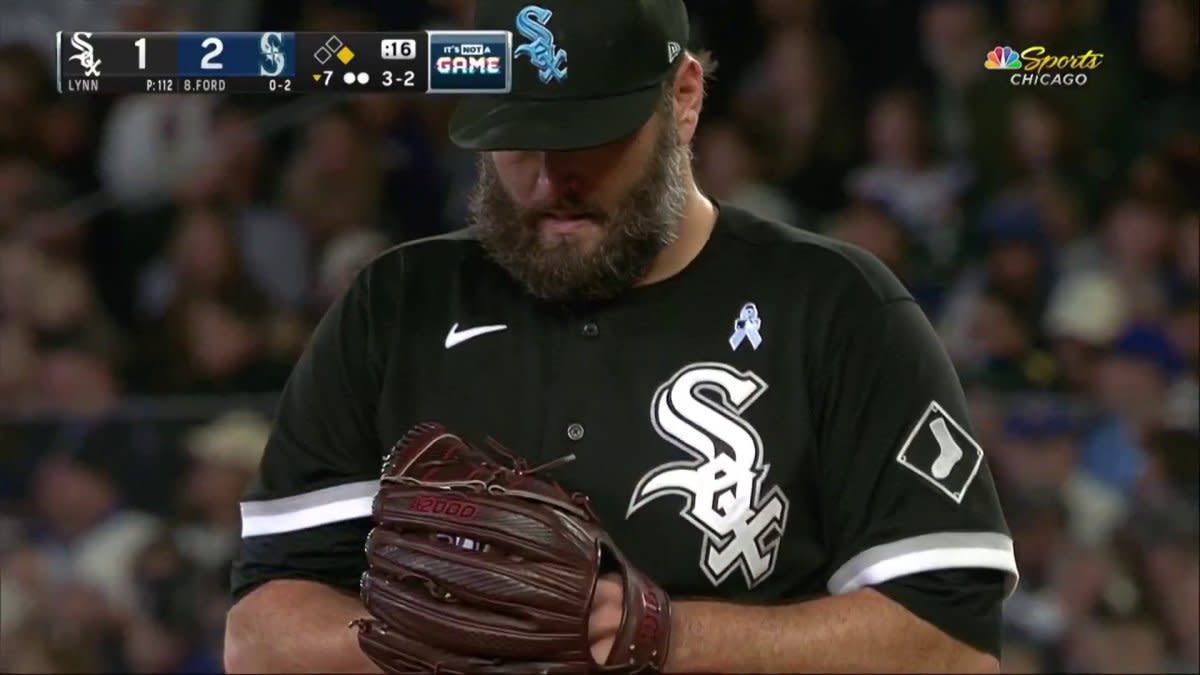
x: 471, y: 63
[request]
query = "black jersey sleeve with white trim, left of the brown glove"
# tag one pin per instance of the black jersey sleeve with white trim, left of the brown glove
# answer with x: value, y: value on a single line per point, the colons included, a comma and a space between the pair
x: 307, y: 513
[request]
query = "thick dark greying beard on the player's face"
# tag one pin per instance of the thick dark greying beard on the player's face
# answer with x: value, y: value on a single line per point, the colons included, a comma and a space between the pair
x: 637, y: 231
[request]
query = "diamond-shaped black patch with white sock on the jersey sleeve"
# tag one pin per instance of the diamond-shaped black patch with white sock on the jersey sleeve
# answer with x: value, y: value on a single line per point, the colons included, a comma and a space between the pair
x: 941, y: 451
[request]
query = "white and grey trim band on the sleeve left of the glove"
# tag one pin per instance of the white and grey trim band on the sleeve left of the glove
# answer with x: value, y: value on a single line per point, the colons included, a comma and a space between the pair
x: 309, y: 510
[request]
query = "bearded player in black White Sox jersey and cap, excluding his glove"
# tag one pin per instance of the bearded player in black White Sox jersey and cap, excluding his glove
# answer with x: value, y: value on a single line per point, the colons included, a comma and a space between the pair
x: 763, y: 420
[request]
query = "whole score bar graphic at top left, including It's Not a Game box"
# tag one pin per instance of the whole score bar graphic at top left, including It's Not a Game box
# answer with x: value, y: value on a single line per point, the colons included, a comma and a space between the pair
x: 285, y: 63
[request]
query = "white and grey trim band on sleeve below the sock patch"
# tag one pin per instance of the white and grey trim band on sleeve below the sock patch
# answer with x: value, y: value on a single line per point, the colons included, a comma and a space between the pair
x: 928, y: 553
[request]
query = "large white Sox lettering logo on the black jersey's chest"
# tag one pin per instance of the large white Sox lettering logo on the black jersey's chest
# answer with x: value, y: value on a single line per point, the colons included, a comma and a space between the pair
x: 723, y: 487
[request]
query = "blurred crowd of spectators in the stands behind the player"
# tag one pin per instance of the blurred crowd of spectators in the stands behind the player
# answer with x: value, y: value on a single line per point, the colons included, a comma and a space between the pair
x: 164, y: 260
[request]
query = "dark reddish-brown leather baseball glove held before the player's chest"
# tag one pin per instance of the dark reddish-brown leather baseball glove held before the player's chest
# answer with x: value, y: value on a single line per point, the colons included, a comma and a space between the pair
x: 484, y: 565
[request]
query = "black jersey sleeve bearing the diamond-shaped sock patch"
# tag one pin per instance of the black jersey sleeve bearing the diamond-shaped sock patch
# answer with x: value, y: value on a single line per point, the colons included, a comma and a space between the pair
x: 905, y: 488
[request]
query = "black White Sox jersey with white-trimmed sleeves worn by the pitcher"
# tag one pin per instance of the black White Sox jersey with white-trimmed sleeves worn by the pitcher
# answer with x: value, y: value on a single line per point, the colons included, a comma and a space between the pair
x: 777, y: 422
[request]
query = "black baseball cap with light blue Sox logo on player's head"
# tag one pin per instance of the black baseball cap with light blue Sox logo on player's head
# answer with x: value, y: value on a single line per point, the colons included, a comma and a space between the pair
x: 585, y: 73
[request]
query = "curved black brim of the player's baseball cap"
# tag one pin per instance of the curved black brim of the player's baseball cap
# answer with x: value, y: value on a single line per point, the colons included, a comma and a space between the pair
x: 502, y: 123
